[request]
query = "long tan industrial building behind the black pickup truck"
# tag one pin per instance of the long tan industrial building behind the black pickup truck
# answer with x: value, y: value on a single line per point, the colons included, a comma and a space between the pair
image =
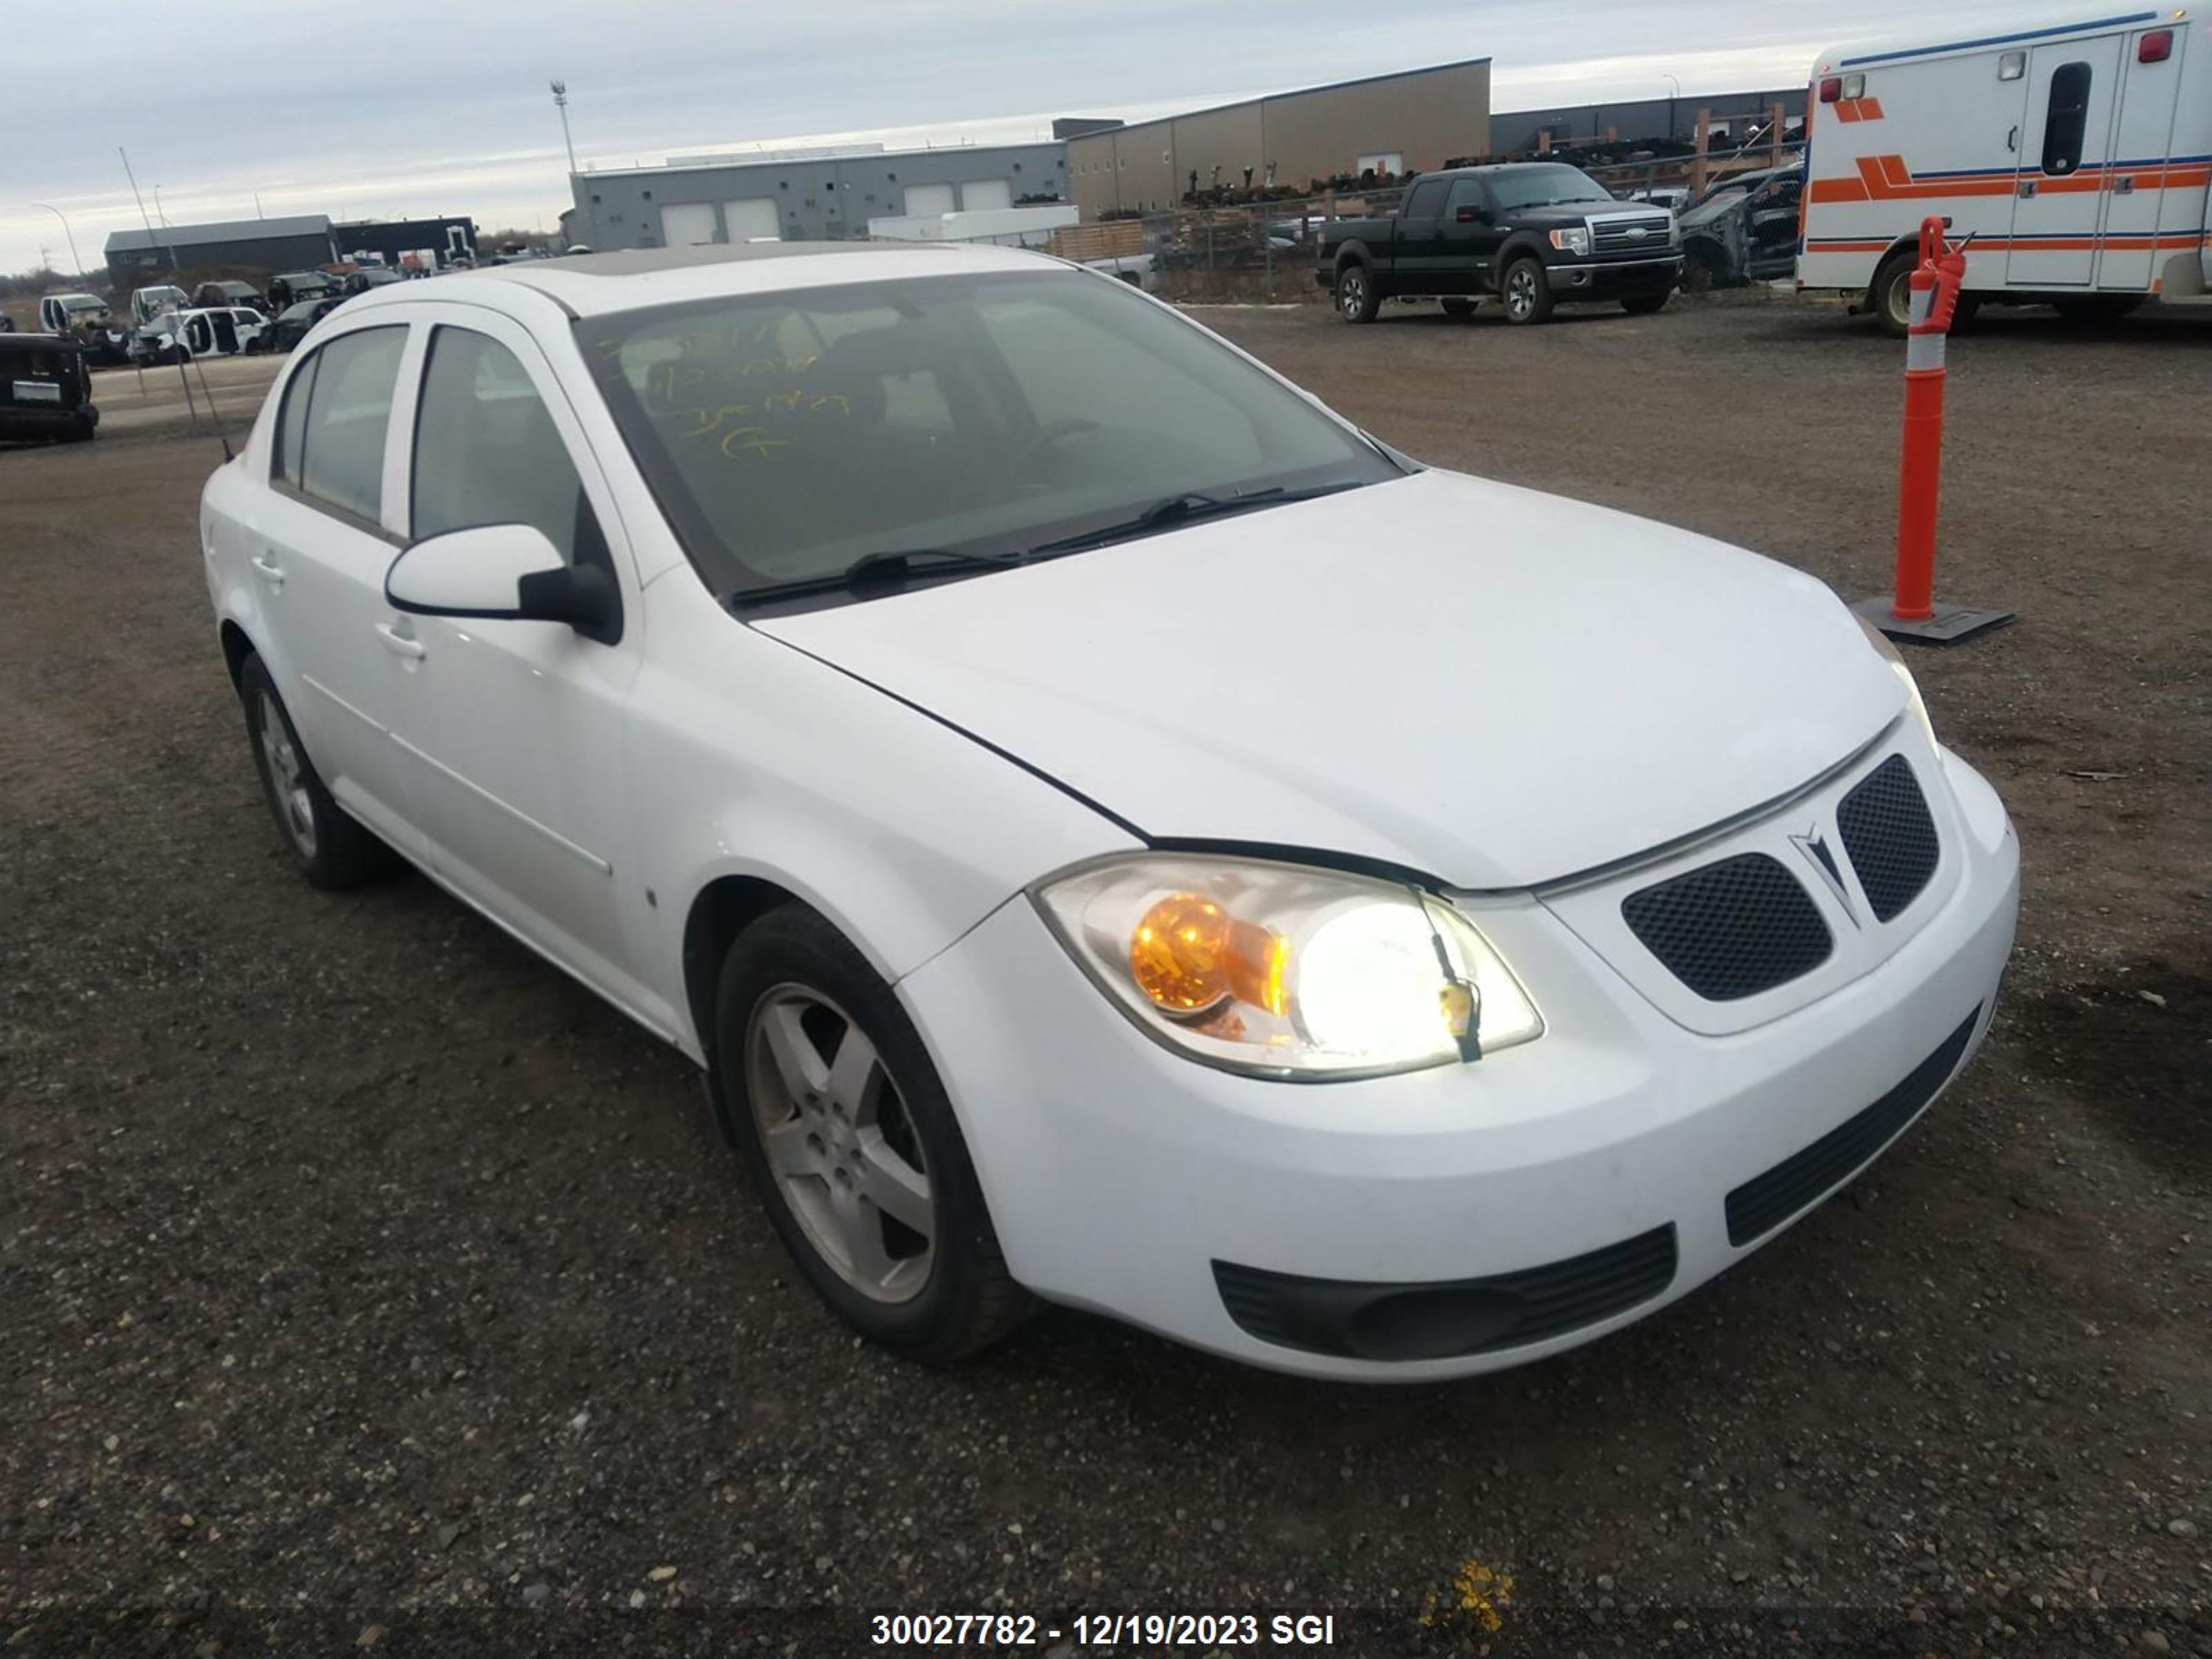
x: 1417, y: 118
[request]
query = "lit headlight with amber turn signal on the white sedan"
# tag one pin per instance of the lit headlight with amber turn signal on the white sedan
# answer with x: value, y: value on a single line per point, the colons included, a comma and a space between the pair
x: 1288, y: 972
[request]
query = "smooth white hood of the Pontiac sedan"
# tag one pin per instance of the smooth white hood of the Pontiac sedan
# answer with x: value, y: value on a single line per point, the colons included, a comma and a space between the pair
x: 1477, y: 682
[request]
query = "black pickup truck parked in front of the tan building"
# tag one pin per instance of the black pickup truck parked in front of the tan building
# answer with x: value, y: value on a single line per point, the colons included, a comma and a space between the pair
x: 1534, y: 233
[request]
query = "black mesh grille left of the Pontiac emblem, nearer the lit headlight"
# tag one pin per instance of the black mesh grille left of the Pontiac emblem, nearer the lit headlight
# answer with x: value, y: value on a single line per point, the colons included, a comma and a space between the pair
x: 1731, y: 930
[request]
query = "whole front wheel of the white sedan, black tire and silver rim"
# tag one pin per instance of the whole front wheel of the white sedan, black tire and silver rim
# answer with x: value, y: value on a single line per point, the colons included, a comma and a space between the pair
x: 853, y: 1145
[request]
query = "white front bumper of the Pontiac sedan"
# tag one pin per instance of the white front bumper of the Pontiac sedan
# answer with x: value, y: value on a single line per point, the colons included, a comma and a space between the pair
x: 1505, y: 1209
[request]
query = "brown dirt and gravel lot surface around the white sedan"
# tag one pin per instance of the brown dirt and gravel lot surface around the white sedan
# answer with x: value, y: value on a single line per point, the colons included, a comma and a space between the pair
x: 359, y: 1266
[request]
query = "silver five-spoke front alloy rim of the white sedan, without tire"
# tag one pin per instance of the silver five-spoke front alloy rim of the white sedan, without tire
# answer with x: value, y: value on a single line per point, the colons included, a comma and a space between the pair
x: 839, y: 1142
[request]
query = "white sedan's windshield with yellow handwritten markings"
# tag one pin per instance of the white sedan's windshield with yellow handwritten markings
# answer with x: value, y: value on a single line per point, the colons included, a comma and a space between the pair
x: 793, y: 435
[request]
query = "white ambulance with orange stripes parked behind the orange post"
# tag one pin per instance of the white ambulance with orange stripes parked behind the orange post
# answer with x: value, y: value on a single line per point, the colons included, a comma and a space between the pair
x: 2078, y: 158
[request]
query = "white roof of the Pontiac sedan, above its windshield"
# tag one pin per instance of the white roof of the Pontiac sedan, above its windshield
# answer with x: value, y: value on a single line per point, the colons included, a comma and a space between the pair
x: 629, y: 280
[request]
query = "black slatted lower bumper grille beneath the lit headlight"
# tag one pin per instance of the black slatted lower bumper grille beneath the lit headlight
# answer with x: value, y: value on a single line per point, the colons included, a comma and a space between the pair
x: 1446, y: 1319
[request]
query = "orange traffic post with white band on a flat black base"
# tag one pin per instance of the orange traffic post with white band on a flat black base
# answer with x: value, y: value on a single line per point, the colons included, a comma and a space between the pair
x: 1912, y: 612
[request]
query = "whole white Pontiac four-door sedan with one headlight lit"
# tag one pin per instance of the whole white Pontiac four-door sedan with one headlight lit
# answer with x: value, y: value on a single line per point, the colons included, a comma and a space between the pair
x: 1107, y: 828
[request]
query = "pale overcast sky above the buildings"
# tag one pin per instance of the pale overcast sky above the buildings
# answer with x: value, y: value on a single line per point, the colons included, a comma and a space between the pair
x: 430, y: 107
